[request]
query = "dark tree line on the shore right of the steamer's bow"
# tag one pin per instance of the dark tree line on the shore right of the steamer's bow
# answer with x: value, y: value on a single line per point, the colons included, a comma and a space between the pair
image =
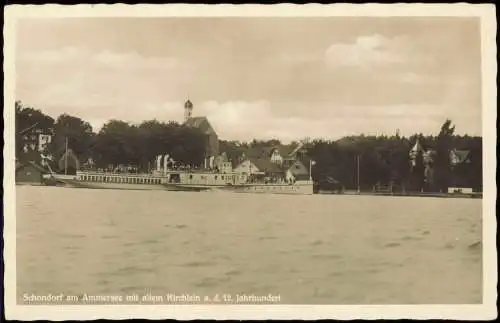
x: 385, y: 159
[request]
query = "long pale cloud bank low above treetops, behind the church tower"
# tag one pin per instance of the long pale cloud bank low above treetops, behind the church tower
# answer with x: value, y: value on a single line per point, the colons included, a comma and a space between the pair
x: 246, y: 120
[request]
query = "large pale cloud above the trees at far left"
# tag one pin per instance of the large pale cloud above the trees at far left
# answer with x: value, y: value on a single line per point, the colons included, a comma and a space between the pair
x: 101, y: 83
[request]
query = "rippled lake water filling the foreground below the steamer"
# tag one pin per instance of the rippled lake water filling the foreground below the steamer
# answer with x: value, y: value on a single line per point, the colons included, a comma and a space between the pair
x: 320, y: 249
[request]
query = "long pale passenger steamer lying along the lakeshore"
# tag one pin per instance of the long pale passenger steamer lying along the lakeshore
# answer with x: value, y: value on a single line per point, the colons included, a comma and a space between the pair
x: 180, y: 181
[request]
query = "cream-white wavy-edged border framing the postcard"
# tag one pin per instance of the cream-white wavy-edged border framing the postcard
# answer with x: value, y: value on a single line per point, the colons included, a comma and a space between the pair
x: 487, y: 310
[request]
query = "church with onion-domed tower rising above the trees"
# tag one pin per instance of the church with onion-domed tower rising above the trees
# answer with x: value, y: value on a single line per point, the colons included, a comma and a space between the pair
x: 211, y: 138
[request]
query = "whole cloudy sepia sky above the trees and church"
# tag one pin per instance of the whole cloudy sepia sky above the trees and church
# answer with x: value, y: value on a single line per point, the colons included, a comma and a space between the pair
x: 285, y: 78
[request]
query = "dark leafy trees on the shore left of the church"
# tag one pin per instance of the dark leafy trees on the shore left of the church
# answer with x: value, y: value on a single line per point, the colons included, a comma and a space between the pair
x: 116, y: 143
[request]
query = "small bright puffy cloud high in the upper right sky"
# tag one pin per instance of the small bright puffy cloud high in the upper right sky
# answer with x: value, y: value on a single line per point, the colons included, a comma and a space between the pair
x: 366, y: 51
